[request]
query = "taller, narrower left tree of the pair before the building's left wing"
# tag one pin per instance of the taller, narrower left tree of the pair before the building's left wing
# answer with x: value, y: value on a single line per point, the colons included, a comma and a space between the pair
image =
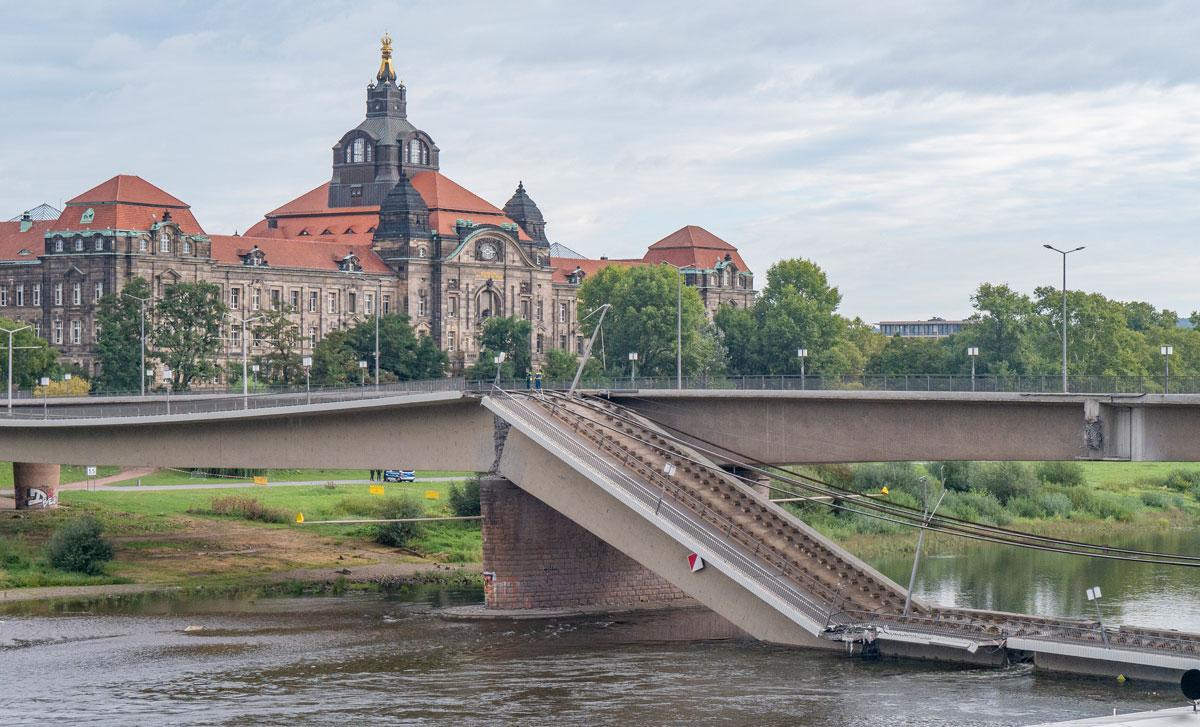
x: 119, y: 346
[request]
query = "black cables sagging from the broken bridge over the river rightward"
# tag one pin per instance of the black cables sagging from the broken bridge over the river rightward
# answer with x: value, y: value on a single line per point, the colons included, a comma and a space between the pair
x: 913, y: 518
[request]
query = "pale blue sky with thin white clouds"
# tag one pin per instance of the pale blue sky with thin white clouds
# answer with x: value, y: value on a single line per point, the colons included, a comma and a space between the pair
x: 911, y: 149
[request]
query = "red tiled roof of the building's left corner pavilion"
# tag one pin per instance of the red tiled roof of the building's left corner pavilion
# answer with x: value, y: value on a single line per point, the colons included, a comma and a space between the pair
x: 127, y: 202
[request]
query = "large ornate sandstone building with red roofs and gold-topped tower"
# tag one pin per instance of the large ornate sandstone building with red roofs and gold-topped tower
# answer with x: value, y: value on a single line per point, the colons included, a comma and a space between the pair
x: 388, y: 233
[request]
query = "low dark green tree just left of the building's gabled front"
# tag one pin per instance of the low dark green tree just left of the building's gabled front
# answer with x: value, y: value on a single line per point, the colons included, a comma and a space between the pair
x: 404, y: 356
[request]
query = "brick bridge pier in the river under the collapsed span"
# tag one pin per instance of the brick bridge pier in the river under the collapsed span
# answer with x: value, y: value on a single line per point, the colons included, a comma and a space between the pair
x: 537, y: 558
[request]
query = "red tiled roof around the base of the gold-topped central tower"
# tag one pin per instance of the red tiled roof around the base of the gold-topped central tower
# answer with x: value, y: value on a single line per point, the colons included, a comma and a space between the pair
x: 448, y: 202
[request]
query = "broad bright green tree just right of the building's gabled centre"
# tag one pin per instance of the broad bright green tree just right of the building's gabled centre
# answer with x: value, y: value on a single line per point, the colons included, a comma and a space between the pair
x: 644, y: 321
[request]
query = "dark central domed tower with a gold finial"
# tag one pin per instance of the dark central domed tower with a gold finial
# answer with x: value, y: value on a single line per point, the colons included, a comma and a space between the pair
x: 373, y: 157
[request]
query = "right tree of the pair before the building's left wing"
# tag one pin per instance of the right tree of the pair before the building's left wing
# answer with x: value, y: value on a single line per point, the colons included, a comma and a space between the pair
x: 188, y: 332
